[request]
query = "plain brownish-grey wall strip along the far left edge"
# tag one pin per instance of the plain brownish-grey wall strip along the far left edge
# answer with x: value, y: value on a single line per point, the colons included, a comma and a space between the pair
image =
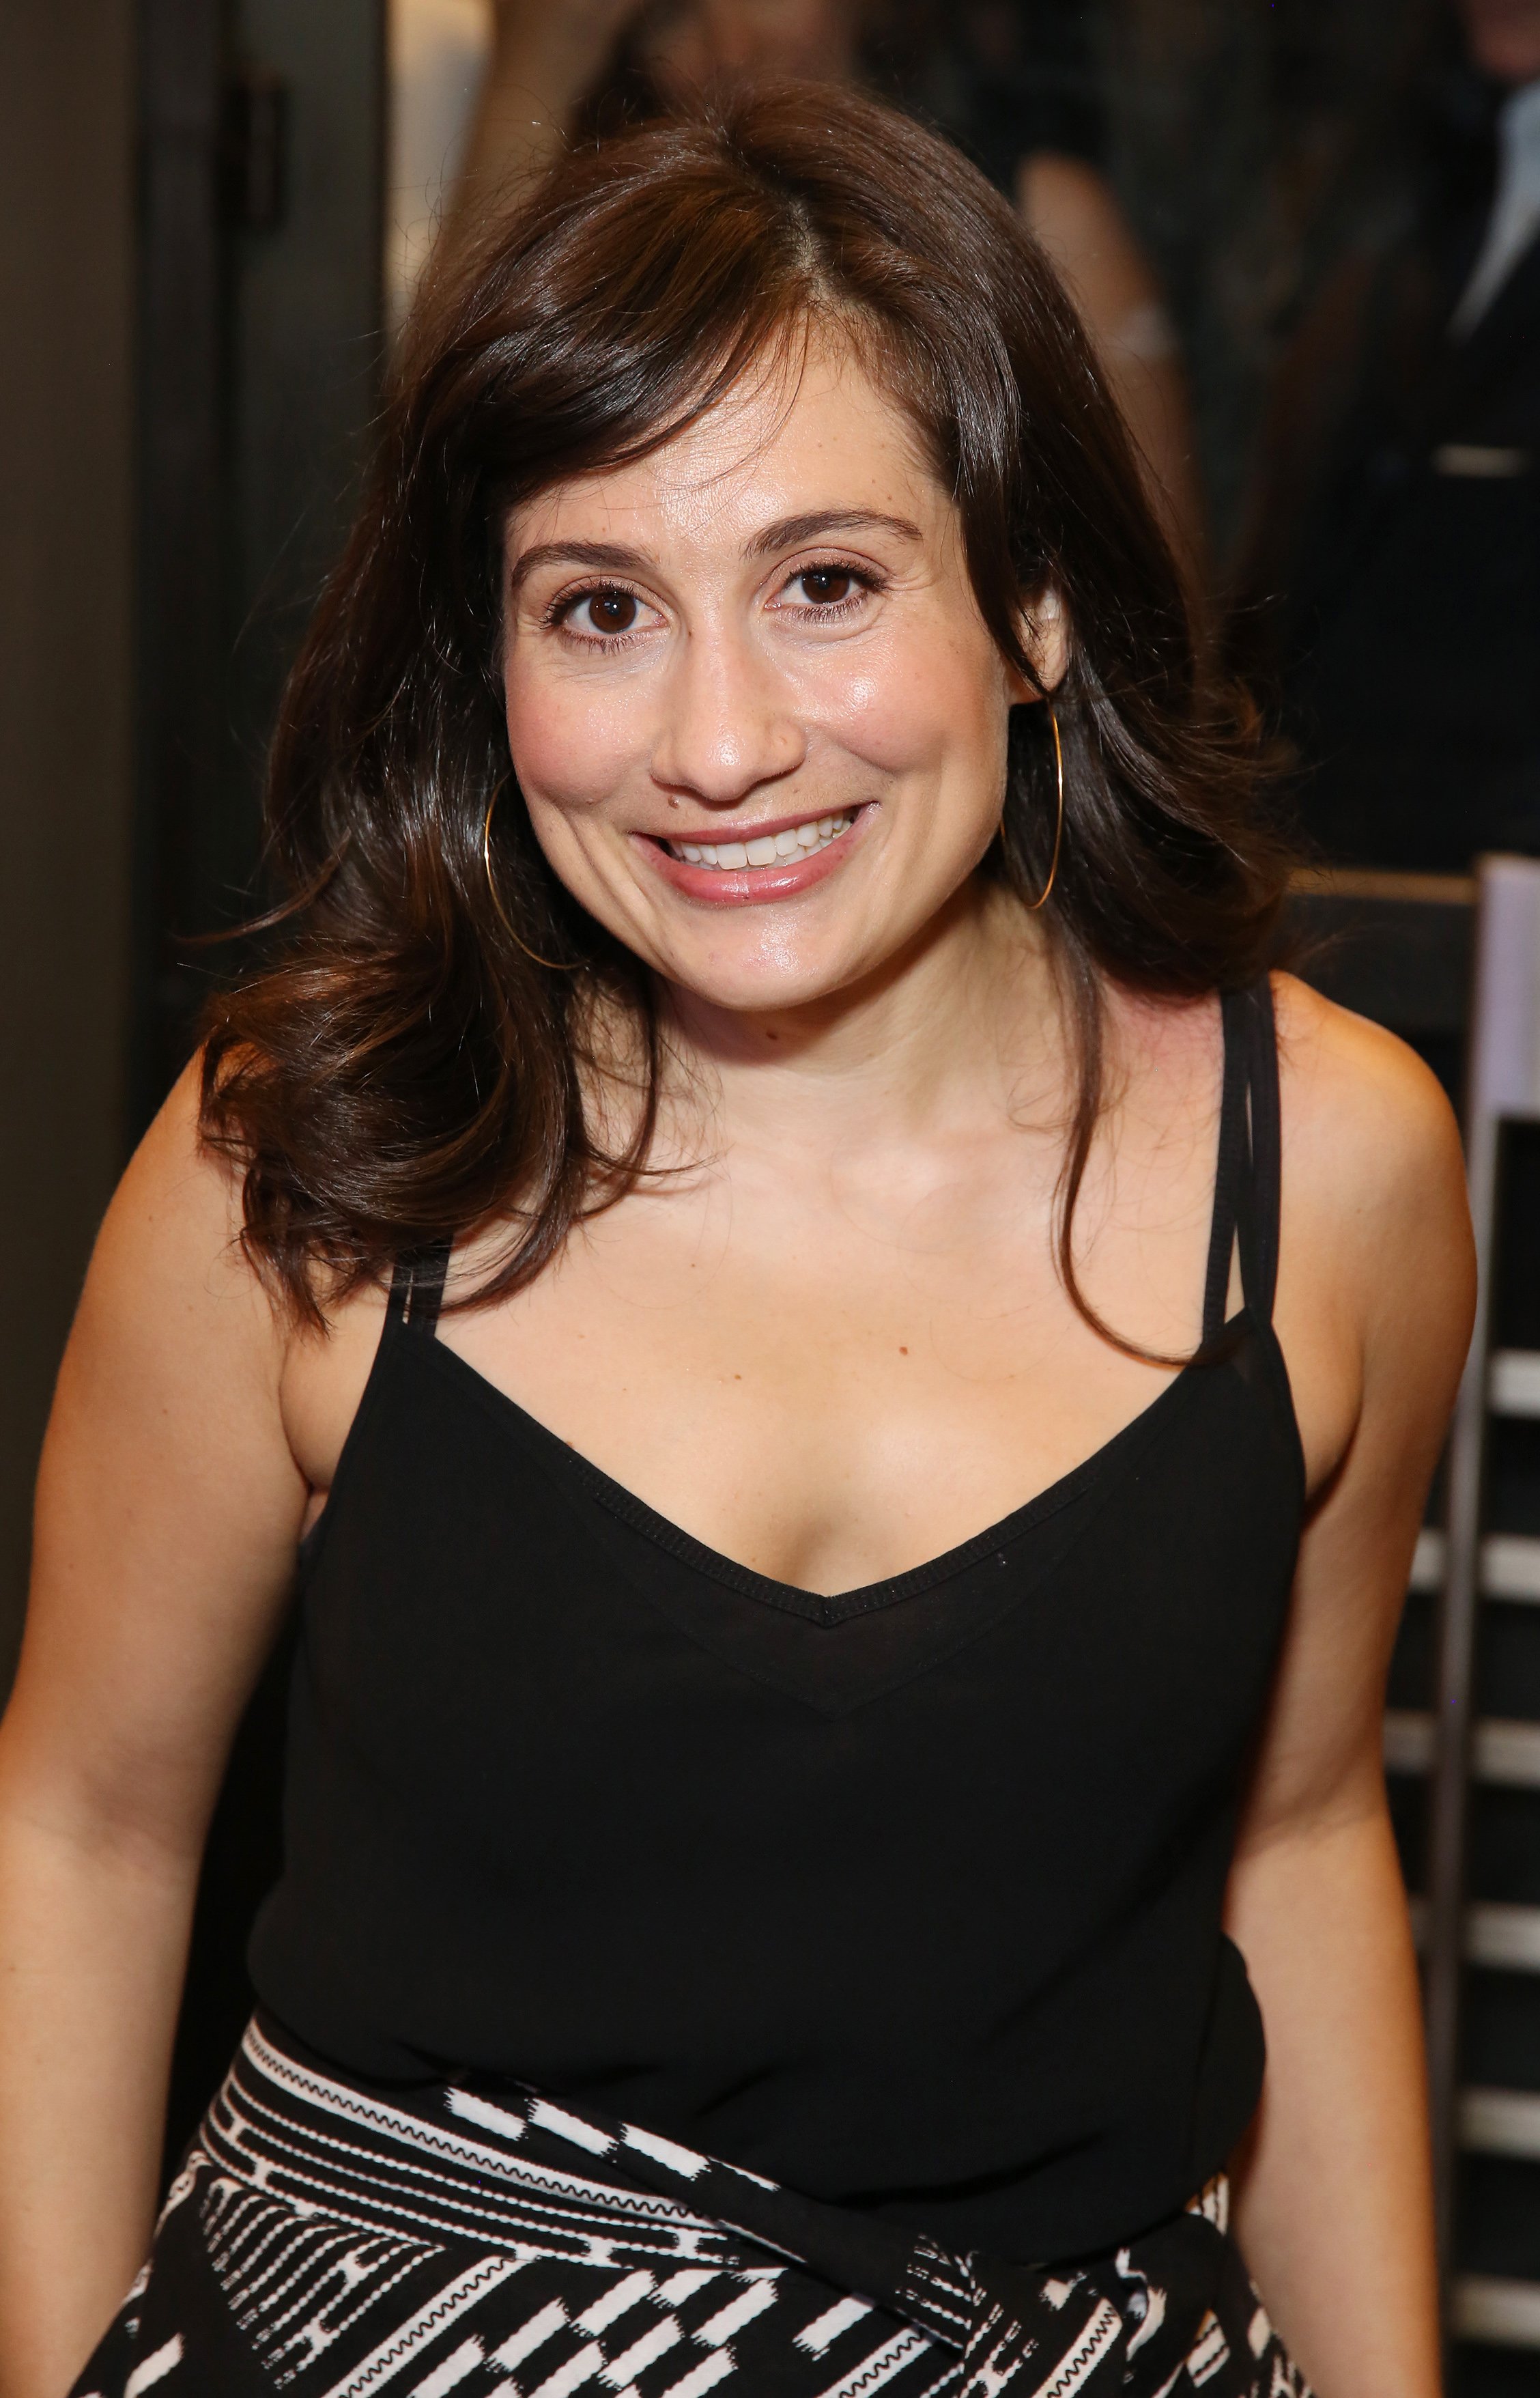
x: 66, y: 632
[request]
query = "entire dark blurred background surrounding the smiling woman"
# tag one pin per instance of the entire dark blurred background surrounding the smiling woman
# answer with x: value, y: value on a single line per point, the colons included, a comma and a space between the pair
x: 1306, y: 239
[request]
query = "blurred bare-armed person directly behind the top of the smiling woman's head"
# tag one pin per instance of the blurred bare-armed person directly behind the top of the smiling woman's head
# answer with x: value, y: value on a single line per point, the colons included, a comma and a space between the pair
x: 584, y: 66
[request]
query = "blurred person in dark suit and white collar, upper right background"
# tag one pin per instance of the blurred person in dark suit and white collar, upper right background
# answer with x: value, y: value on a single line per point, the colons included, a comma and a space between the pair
x: 1390, y: 589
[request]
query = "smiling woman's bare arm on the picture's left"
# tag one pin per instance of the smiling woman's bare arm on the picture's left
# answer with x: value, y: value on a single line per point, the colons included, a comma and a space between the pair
x: 169, y: 1512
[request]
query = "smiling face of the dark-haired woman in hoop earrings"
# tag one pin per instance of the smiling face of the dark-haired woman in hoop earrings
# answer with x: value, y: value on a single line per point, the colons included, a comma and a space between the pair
x: 754, y: 709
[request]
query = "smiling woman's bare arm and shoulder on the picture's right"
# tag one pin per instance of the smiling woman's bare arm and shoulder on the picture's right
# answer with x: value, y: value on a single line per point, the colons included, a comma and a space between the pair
x: 1376, y: 1303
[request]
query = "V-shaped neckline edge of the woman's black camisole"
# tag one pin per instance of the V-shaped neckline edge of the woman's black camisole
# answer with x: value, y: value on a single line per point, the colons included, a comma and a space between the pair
x: 836, y: 1608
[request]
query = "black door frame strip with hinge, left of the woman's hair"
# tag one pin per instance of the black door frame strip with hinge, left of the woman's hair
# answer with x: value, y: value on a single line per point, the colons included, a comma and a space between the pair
x: 260, y: 373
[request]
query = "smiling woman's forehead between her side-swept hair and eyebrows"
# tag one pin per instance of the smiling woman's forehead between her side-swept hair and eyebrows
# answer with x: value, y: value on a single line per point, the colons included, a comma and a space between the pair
x: 805, y: 435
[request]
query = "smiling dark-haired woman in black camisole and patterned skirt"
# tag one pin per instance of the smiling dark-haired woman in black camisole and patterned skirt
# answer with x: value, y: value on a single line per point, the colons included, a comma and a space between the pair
x: 771, y: 1073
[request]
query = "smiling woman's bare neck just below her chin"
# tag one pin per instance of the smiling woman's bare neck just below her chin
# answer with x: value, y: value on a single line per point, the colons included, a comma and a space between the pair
x: 963, y: 1020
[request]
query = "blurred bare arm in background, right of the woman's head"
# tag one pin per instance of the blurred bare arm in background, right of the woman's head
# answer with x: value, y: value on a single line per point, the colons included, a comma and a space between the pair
x: 1076, y: 217
